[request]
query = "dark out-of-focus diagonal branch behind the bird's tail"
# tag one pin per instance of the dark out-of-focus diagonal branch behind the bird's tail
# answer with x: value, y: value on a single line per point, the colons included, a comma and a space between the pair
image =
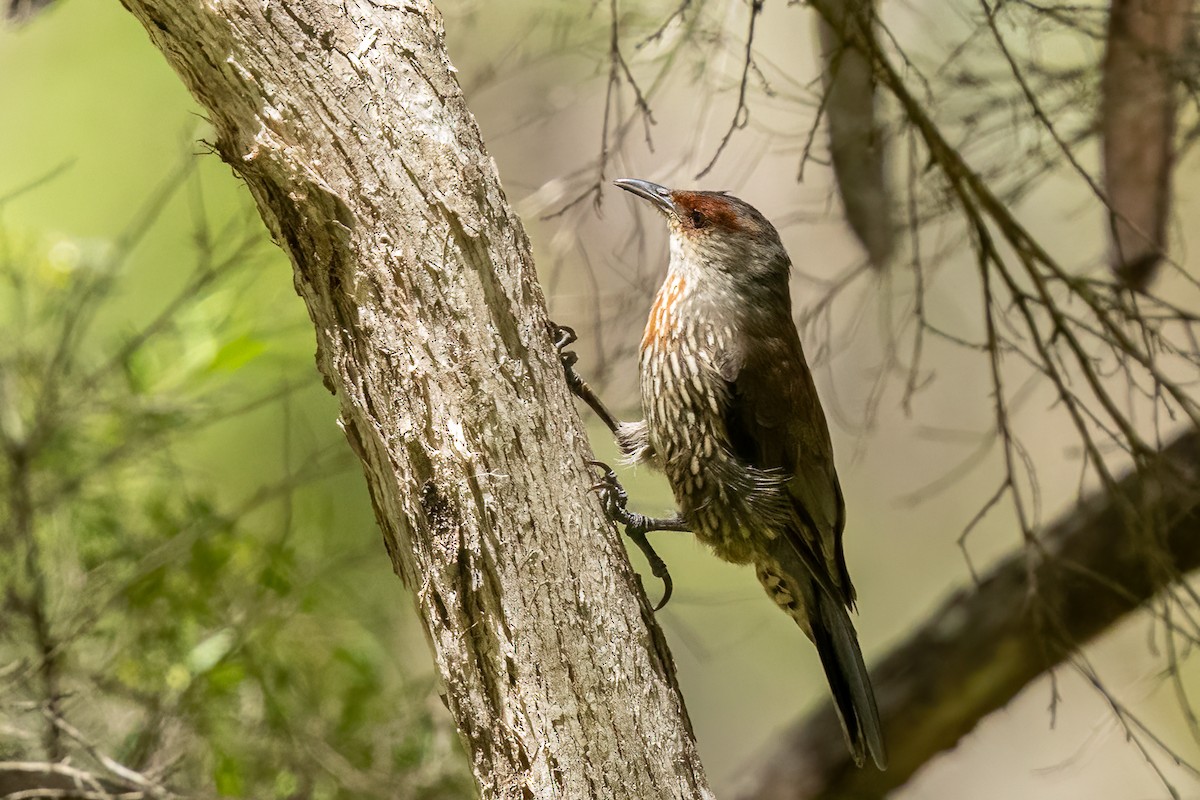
x: 987, y: 643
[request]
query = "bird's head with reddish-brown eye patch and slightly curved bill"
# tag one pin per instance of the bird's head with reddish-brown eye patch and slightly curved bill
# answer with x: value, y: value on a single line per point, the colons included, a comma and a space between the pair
x: 715, y: 231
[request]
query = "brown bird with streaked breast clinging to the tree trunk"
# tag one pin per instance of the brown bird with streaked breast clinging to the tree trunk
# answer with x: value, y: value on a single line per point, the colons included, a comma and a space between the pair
x: 733, y: 418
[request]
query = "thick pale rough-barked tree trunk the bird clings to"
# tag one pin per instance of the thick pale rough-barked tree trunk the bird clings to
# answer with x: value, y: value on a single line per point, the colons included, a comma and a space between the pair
x: 347, y: 125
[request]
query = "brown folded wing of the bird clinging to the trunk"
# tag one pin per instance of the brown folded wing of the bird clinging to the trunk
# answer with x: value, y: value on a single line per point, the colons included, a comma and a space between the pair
x: 775, y: 423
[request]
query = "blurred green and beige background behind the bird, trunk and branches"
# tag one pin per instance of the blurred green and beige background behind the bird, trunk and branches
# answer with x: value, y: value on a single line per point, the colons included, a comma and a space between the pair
x: 191, y: 567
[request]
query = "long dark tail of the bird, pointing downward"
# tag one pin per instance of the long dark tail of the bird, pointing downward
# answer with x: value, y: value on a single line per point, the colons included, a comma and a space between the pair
x: 833, y: 633
